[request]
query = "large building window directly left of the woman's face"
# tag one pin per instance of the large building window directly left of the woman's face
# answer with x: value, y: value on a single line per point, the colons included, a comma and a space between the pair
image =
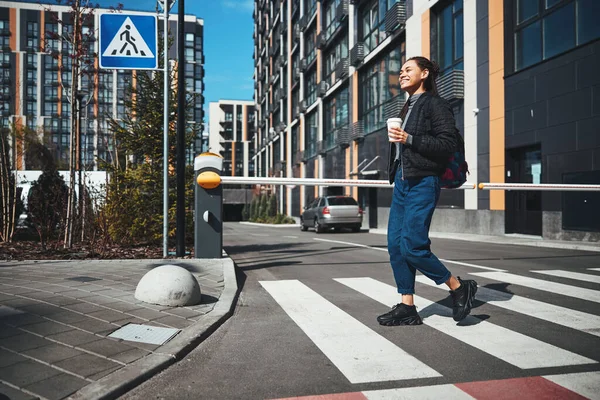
x: 379, y: 85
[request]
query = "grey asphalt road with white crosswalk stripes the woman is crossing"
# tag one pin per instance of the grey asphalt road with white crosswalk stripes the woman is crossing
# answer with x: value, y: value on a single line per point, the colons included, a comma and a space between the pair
x: 305, y: 320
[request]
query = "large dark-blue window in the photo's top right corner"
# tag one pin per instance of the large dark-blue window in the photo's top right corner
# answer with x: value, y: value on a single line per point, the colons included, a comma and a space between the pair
x: 547, y: 28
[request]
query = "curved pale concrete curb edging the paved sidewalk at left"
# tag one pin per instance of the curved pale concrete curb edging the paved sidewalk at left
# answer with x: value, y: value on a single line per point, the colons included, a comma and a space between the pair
x: 123, y: 380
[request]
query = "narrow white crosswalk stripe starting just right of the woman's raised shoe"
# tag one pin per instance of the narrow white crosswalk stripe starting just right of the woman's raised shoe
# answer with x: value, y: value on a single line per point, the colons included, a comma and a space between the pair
x: 540, y: 284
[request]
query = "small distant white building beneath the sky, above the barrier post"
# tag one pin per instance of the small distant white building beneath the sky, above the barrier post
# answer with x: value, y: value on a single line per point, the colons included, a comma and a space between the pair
x: 231, y: 134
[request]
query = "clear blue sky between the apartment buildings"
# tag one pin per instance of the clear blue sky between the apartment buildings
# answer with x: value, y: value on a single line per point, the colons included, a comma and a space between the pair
x: 228, y: 44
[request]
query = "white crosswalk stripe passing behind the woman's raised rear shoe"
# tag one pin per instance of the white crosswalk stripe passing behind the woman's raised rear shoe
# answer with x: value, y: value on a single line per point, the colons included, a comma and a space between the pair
x: 584, y: 322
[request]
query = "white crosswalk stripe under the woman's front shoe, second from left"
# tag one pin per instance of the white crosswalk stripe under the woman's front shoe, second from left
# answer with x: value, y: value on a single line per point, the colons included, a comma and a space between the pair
x: 512, y: 347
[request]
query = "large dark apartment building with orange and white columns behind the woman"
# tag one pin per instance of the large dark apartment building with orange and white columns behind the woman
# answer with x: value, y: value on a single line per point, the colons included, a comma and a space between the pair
x: 521, y: 76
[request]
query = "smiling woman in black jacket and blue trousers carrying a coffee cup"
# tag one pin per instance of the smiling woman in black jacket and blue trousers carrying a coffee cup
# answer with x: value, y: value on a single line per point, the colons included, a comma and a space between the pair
x: 419, y: 152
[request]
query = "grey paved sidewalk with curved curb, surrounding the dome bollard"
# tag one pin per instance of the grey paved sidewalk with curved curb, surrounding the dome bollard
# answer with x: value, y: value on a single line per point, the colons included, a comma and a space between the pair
x: 55, y: 318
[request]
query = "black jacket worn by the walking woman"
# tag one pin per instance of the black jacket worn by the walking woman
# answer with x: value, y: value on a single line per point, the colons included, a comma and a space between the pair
x: 434, y: 139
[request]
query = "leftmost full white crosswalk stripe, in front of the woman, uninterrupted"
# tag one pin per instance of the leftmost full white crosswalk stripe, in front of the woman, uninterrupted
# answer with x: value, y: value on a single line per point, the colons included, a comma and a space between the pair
x: 358, y: 352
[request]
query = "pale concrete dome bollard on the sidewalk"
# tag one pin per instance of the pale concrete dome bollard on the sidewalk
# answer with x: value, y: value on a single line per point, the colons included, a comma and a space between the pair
x: 169, y: 285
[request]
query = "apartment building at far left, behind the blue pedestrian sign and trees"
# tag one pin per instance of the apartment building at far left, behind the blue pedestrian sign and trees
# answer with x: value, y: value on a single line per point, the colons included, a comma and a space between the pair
x: 32, y: 91
